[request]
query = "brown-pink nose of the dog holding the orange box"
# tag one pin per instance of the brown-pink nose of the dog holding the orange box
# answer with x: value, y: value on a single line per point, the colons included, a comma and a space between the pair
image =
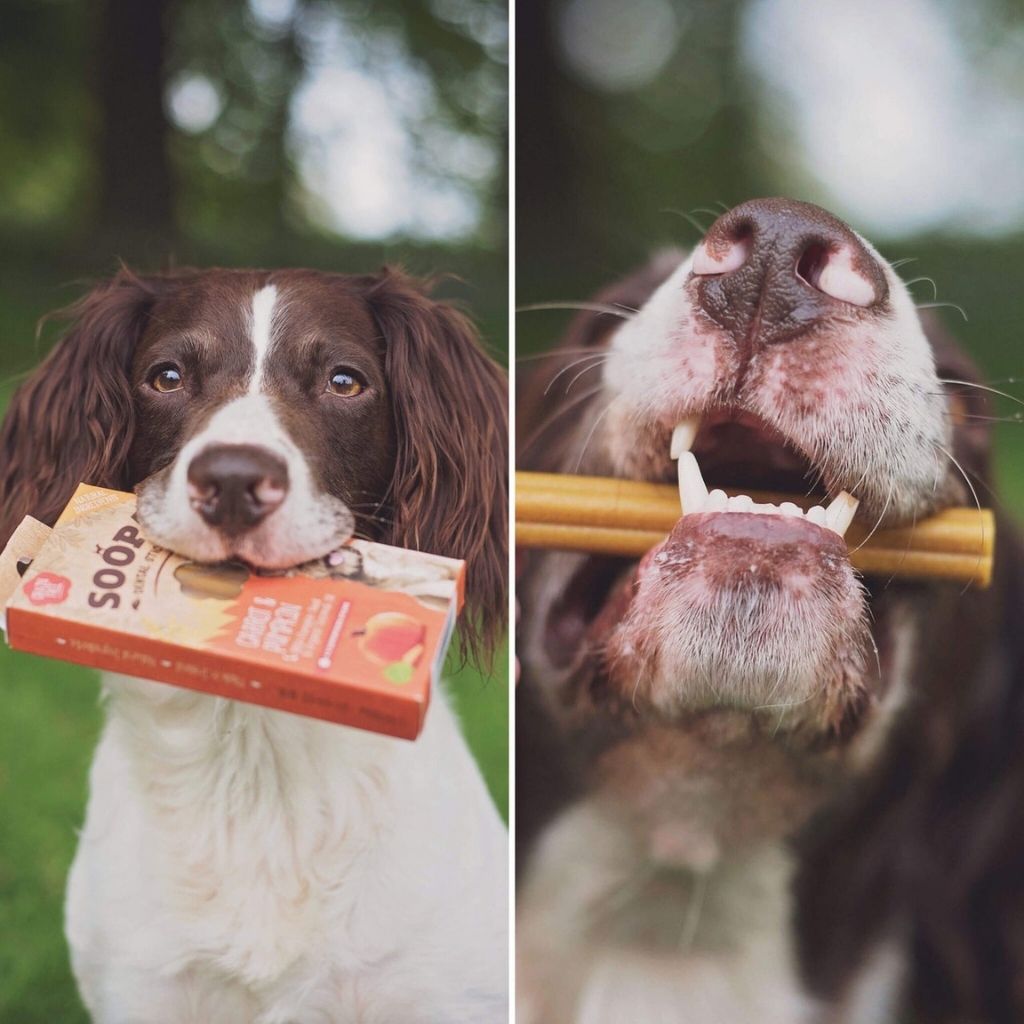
x: 236, y: 487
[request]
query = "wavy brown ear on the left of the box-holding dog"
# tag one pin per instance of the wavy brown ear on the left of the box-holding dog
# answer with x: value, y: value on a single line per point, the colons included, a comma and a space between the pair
x: 72, y: 421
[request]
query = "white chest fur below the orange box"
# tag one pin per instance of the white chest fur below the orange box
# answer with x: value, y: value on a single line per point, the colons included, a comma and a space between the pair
x: 241, y: 865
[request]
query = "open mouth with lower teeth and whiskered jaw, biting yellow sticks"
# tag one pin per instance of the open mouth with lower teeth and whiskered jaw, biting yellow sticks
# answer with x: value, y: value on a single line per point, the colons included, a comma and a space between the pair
x: 748, y: 604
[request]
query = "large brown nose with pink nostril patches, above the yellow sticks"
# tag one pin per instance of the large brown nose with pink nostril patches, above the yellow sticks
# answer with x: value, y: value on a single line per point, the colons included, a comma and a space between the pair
x: 771, y: 269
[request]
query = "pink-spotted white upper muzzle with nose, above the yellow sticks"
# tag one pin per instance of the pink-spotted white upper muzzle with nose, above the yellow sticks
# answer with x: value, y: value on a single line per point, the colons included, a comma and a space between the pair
x: 785, y: 316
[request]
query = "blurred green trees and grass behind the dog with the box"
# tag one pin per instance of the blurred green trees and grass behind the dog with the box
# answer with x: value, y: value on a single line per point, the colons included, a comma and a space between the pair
x: 338, y: 135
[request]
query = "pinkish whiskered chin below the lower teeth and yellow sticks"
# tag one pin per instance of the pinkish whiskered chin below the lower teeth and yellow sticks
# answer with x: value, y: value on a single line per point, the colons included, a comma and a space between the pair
x: 761, y: 614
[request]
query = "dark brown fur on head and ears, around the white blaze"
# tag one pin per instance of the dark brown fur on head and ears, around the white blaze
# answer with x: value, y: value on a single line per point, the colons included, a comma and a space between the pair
x: 423, y: 463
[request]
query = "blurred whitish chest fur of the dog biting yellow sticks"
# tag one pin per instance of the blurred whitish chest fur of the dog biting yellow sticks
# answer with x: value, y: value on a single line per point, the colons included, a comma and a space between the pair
x: 606, y: 936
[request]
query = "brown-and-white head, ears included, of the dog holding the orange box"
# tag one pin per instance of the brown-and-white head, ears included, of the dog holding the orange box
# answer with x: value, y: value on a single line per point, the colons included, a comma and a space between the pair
x: 265, y: 417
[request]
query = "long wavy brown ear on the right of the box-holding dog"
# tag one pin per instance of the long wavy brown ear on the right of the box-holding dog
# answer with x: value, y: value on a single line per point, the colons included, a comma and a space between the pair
x: 450, y: 491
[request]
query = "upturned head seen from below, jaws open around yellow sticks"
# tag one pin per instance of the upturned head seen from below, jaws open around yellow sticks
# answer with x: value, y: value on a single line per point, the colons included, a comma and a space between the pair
x: 783, y: 355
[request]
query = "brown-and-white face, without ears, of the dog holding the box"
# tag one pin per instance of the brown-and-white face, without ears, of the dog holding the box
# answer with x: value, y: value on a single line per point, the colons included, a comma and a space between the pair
x: 272, y: 408
